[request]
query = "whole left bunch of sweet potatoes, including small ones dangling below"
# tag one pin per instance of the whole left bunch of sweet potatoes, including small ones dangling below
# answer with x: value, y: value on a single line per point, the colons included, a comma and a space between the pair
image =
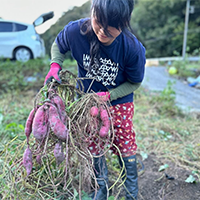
x: 43, y: 119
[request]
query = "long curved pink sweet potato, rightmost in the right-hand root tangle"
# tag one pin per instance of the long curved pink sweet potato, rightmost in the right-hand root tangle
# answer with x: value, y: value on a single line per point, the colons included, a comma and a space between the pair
x: 105, y: 122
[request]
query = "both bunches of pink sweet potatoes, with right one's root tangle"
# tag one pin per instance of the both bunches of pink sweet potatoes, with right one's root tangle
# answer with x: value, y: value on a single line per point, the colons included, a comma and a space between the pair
x: 87, y: 116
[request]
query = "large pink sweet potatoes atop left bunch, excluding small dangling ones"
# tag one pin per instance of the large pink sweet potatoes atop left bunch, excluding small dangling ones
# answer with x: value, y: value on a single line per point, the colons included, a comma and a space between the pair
x: 49, y: 115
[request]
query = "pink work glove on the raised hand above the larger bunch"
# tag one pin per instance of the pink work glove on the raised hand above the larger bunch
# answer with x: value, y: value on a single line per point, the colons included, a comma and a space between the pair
x: 53, y: 73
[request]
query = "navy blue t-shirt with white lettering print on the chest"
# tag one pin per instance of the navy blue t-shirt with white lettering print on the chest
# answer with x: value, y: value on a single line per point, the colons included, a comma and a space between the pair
x: 123, y: 60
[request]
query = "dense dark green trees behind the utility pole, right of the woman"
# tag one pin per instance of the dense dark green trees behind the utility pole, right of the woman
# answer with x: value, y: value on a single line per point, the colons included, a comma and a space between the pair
x: 160, y: 25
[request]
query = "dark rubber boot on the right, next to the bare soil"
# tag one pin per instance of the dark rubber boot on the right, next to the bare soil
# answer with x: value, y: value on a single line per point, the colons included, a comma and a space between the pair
x: 131, y: 182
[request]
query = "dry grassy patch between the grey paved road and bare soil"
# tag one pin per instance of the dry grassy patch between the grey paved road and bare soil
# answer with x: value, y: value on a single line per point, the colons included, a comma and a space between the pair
x: 171, y: 135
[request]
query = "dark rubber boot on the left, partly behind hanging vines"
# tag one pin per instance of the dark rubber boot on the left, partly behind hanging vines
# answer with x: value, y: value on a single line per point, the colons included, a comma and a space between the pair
x: 101, y: 172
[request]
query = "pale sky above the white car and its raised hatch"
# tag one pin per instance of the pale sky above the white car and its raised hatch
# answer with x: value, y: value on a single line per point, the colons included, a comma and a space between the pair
x: 28, y: 10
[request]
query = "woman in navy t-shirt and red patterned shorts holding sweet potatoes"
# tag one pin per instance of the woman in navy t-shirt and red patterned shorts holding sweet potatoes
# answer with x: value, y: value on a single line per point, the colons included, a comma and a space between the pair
x: 107, y: 51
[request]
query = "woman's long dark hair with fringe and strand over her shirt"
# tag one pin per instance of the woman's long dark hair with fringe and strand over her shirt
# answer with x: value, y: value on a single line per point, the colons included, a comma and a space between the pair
x: 115, y: 13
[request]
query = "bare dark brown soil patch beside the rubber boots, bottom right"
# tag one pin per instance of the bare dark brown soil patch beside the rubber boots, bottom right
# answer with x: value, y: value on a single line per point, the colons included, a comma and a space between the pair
x: 154, y: 185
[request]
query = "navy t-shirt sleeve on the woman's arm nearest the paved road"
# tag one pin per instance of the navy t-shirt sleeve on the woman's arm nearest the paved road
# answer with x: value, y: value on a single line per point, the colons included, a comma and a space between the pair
x: 135, y: 62
